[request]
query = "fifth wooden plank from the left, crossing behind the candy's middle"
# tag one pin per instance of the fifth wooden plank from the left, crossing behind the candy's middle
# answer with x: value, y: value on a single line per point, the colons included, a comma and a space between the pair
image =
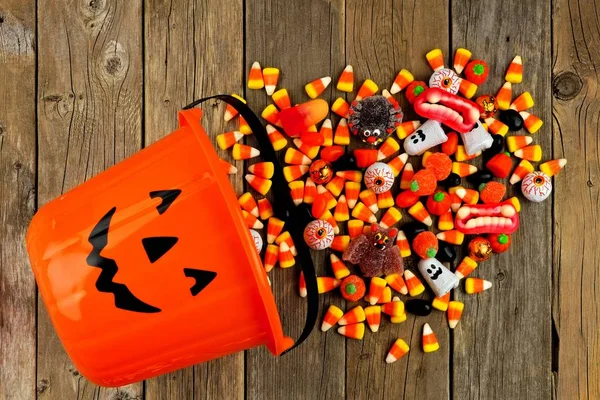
x: 383, y: 37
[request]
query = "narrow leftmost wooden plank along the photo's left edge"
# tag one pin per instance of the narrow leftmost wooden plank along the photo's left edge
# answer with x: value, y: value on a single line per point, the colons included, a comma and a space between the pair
x: 17, y: 198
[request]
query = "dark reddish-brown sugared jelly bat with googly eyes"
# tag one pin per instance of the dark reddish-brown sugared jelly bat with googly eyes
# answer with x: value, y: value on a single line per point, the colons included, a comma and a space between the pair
x: 375, y: 252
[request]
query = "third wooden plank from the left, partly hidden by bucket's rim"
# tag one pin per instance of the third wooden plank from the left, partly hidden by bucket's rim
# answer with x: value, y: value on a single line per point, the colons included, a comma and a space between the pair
x: 194, y: 49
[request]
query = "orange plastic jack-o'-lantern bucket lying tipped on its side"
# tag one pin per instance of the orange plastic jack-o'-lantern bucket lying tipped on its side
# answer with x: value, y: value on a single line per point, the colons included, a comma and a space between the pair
x: 149, y: 267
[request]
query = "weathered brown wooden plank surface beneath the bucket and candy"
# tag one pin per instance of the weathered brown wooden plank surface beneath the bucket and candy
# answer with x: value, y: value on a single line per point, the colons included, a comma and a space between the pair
x: 110, y: 78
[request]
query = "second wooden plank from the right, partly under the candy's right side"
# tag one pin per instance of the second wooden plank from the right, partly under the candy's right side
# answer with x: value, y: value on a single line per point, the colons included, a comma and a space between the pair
x: 502, y: 346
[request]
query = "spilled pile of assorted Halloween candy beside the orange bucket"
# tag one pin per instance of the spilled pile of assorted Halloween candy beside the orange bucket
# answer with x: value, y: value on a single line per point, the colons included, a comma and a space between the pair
x: 354, y: 188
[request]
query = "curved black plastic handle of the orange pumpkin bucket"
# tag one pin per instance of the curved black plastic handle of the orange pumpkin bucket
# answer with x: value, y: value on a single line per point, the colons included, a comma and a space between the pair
x: 295, y: 217
